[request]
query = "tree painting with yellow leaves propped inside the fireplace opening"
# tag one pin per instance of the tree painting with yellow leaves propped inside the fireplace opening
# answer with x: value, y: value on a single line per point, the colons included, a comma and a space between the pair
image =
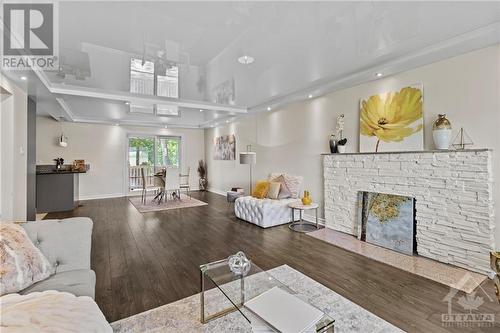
x: 387, y: 220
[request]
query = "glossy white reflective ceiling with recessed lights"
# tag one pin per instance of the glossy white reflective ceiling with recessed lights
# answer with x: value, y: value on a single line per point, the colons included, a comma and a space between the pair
x: 299, y: 48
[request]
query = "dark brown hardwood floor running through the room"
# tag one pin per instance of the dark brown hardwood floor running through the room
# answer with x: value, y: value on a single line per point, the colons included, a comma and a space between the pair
x: 146, y: 260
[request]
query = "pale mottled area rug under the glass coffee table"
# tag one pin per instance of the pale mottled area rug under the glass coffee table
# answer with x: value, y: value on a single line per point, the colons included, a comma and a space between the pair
x: 184, y: 315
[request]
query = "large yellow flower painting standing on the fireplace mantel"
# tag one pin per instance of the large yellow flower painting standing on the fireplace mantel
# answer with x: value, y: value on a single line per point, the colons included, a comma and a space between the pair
x: 392, y: 121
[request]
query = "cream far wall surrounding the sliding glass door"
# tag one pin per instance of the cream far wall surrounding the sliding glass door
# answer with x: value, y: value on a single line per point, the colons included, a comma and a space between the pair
x: 105, y: 148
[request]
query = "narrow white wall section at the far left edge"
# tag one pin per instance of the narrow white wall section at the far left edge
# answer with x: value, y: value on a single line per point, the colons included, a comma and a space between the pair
x: 13, y: 133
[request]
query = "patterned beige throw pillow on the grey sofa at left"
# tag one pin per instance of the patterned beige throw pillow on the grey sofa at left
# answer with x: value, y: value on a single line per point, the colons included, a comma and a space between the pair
x: 21, y: 263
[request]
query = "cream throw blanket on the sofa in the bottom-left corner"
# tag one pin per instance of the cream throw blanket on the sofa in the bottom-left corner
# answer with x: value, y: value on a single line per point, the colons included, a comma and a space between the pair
x: 50, y: 311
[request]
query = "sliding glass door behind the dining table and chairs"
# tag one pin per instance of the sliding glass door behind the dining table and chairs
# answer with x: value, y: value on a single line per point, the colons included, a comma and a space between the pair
x: 149, y: 154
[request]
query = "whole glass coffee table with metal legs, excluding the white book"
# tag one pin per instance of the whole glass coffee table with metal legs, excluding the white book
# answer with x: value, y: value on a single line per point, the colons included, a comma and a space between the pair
x: 234, y: 290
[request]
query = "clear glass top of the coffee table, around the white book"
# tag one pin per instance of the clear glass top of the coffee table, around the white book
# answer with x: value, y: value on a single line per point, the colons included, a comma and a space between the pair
x: 239, y: 289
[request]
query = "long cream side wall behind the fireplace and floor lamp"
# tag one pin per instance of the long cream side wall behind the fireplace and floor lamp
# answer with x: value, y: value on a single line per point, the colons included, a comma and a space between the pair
x: 291, y: 139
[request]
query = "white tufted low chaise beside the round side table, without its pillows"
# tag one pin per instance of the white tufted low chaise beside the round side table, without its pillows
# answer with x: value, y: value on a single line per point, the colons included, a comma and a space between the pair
x: 264, y: 212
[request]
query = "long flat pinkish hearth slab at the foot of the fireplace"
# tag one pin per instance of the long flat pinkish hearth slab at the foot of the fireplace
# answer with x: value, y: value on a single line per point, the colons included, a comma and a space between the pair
x: 448, y: 275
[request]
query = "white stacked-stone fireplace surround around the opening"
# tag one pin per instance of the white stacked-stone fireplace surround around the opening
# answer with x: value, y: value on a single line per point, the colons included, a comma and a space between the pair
x: 453, y: 191
